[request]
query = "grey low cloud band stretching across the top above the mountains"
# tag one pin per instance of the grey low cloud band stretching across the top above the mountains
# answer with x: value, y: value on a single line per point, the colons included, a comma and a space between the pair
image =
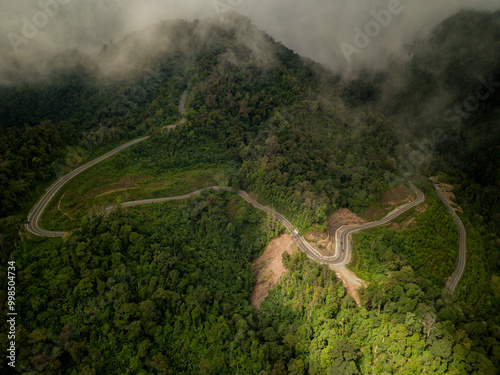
x: 31, y: 30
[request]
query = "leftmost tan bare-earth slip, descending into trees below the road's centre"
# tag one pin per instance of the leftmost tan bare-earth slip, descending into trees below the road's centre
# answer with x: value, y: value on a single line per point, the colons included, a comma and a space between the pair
x: 269, y: 268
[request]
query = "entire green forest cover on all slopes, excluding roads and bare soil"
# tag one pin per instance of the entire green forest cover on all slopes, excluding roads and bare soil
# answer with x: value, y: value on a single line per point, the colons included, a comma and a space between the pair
x: 165, y: 288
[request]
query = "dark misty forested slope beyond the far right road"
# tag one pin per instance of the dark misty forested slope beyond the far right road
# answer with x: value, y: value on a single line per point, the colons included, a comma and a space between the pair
x: 445, y: 104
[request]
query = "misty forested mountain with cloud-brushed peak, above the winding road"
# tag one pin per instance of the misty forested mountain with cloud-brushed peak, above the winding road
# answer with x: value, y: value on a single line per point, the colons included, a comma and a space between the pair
x: 277, y: 117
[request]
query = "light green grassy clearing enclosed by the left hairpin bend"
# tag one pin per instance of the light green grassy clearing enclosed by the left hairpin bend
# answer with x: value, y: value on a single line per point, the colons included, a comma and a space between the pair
x: 112, y: 181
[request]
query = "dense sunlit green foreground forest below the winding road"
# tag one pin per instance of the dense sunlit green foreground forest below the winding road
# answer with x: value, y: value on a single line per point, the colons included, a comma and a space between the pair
x: 165, y: 289
